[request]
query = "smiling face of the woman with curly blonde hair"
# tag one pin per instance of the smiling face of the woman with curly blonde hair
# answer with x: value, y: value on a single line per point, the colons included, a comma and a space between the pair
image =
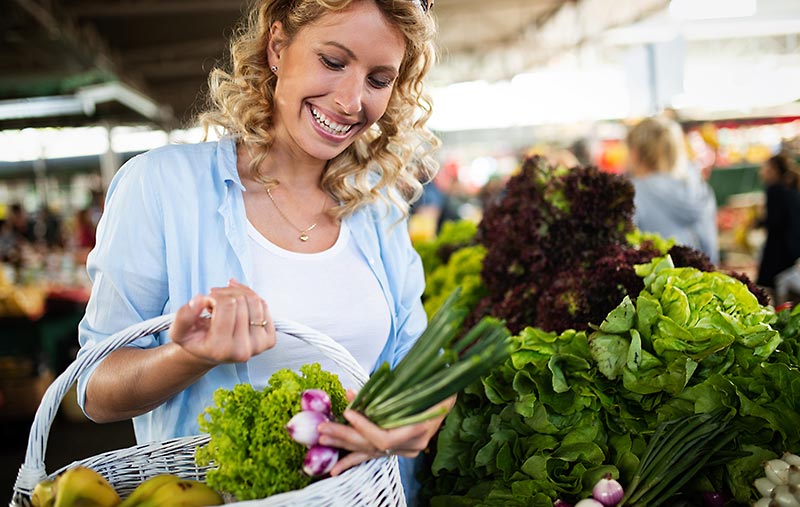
x: 335, y: 79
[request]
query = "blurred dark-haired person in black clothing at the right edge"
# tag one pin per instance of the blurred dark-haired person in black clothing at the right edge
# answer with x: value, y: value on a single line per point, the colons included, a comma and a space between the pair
x: 782, y: 218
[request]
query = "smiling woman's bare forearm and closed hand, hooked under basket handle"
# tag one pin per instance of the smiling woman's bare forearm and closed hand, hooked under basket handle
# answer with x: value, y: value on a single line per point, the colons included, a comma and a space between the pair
x: 133, y: 381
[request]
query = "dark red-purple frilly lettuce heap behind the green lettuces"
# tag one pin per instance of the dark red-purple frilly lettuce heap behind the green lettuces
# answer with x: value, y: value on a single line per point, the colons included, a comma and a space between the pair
x: 556, y: 250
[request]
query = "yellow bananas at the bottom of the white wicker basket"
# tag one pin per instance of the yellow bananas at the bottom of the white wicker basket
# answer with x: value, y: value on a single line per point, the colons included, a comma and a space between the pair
x: 82, y: 486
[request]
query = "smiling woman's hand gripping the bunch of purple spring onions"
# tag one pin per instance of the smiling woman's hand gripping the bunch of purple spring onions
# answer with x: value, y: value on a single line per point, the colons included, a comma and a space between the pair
x: 366, y: 441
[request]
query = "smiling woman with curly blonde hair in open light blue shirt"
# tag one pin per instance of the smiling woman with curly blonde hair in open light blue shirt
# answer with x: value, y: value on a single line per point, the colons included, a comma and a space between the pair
x: 301, y: 205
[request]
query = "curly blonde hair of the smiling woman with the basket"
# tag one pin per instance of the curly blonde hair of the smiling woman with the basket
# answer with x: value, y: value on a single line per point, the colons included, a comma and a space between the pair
x: 389, y: 161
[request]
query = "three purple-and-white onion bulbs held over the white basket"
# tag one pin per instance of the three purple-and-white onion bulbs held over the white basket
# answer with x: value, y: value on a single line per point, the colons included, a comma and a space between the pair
x: 316, y: 409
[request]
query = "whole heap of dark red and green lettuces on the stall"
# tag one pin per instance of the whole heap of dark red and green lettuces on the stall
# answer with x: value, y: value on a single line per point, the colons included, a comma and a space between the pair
x: 613, y: 339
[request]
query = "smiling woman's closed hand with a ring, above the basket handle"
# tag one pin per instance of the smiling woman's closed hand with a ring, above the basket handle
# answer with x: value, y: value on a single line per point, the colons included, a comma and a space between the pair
x: 240, y: 326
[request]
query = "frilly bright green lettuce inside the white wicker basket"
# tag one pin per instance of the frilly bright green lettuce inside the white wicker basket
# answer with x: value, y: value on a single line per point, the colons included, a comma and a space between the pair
x: 253, y: 453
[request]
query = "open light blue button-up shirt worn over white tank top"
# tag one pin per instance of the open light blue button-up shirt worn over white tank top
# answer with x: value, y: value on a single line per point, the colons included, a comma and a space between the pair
x: 174, y: 226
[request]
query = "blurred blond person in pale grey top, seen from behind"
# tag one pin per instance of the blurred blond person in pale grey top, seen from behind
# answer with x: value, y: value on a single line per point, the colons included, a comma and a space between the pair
x: 671, y: 198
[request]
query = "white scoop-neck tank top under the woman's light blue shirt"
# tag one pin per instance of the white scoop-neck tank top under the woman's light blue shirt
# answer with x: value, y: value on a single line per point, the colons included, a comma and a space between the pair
x: 334, y: 292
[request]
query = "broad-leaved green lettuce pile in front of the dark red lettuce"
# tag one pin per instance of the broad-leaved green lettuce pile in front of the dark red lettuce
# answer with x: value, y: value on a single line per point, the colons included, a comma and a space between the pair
x: 568, y: 408
